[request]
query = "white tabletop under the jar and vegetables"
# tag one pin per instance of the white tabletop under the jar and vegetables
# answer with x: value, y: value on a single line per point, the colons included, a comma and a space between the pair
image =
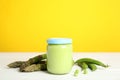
x: 111, y: 73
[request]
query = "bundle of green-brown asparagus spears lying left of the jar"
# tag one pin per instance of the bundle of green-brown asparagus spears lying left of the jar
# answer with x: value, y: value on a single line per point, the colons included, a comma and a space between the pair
x: 36, y: 63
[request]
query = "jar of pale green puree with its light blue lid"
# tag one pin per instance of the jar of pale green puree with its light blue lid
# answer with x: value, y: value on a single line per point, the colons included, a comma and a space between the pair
x: 59, y: 55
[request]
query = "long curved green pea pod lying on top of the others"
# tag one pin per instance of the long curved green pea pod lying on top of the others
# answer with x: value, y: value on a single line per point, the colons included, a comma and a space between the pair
x: 92, y: 61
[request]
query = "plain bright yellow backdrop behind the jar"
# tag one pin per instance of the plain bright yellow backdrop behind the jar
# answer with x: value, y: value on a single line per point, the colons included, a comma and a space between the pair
x: 94, y: 25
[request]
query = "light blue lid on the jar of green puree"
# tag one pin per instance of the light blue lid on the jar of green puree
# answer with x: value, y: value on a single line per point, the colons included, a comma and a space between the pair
x: 59, y: 41
